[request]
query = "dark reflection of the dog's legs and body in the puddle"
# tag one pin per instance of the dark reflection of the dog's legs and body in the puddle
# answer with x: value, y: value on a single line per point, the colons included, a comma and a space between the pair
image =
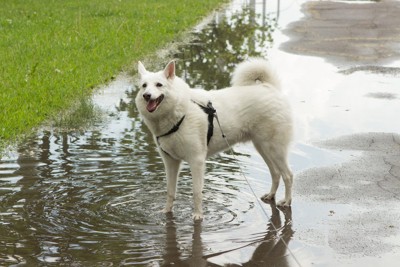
x: 271, y: 249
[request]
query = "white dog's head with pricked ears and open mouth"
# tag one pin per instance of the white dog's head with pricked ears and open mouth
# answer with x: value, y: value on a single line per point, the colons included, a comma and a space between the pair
x: 154, y: 87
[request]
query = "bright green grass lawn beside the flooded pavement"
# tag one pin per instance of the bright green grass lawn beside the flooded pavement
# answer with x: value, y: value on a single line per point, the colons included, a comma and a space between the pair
x: 54, y: 52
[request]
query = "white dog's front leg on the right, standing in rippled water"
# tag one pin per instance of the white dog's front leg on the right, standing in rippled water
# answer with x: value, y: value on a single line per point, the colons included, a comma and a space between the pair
x: 198, y: 168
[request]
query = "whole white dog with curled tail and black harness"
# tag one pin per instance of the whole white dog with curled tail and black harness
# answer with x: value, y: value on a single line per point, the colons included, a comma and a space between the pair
x: 182, y: 121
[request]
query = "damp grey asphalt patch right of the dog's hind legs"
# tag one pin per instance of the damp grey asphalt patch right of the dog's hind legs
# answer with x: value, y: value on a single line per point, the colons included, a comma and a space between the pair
x: 369, y: 184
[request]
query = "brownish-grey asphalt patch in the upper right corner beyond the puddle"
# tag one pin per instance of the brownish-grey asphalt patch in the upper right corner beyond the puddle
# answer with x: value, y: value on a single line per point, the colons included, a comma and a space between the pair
x: 348, y: 32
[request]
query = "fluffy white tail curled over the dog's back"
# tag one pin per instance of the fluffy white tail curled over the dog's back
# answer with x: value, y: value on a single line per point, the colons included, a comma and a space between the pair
x: 253, y: 71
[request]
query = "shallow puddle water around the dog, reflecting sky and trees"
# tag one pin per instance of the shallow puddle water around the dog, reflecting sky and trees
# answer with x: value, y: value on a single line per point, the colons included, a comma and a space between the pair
x: 92, y: 197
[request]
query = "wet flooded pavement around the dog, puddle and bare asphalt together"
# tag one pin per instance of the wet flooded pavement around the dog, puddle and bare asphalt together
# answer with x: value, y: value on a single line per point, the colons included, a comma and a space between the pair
x: 90, y: 197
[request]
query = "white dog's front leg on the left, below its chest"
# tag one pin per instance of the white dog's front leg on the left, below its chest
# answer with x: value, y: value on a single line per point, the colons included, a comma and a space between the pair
x: 172, y: 168
